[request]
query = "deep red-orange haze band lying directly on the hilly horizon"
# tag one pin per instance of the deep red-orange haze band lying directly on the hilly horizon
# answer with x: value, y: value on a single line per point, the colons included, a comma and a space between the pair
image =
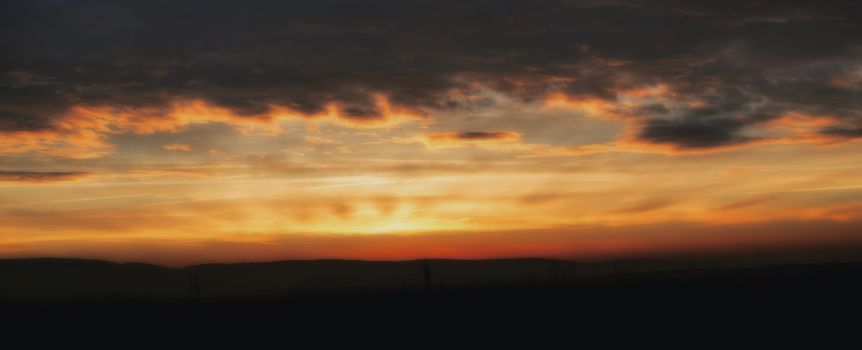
x: 584, y: 242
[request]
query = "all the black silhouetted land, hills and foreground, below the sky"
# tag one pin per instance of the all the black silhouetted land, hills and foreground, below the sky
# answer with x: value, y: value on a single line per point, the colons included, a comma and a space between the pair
x: 545, y: 304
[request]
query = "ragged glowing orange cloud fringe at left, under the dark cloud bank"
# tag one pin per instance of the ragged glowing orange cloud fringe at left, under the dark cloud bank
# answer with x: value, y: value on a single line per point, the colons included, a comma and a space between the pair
x: 83, y: 132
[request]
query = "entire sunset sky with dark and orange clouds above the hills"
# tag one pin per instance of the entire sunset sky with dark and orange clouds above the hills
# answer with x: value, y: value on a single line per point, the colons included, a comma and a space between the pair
x: 189, y: 131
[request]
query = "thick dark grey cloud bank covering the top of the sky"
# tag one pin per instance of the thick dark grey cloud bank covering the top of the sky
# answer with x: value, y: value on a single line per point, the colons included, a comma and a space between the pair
x: 749, y: 61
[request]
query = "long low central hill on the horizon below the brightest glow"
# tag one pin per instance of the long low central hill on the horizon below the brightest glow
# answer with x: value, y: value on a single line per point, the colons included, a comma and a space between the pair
x: 342, y: 275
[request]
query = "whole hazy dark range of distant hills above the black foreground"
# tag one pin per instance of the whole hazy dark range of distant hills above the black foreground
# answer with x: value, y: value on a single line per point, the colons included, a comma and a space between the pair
x: 22, y: 279
